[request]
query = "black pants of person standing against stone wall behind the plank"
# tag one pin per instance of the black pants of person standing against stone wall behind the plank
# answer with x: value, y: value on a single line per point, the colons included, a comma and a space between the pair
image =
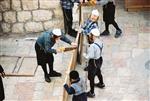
x: 68, y: 20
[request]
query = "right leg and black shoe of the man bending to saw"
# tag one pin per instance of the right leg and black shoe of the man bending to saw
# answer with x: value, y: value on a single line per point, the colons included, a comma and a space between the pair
x: 52, y: 73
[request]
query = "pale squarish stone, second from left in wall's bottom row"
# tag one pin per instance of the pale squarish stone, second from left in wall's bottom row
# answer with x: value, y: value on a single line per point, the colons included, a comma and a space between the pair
x: 18, y: 28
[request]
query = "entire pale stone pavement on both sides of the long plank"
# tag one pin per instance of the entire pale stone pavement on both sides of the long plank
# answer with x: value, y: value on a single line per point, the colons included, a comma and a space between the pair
x: 126, y: 66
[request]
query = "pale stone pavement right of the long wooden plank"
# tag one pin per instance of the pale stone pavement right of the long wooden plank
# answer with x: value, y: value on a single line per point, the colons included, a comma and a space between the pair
x: 126, y: 60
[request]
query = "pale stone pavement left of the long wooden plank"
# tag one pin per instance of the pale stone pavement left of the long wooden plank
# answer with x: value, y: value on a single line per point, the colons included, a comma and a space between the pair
x: 30, y: 88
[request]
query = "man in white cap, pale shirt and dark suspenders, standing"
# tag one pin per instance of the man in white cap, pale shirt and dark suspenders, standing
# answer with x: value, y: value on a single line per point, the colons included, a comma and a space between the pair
x: 95, y: 61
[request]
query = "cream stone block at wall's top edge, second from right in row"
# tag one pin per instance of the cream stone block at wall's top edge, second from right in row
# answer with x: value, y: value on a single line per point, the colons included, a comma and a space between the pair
x: 30, y: 4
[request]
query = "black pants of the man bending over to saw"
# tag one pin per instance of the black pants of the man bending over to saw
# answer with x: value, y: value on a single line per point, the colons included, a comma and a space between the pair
x: 44, y: 58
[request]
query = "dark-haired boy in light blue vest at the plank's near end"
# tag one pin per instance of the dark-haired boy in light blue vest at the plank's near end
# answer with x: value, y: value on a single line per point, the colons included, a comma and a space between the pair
x: 77, y: 87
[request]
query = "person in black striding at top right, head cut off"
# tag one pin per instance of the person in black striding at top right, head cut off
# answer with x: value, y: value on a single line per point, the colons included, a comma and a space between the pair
x: 109, y: 17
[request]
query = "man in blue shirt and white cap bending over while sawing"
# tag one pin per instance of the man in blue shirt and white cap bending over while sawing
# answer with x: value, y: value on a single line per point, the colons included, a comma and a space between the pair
x: 44, y: 51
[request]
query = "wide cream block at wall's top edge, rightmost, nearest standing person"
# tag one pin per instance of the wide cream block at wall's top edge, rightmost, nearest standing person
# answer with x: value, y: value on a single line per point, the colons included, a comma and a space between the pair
x: 46, y: 4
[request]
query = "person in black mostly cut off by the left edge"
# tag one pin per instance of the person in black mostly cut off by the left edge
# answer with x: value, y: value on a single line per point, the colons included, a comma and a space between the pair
x: 2, y: 74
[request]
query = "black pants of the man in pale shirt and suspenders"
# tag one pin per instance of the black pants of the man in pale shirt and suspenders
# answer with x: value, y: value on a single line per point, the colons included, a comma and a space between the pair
x: 95, y: 71
